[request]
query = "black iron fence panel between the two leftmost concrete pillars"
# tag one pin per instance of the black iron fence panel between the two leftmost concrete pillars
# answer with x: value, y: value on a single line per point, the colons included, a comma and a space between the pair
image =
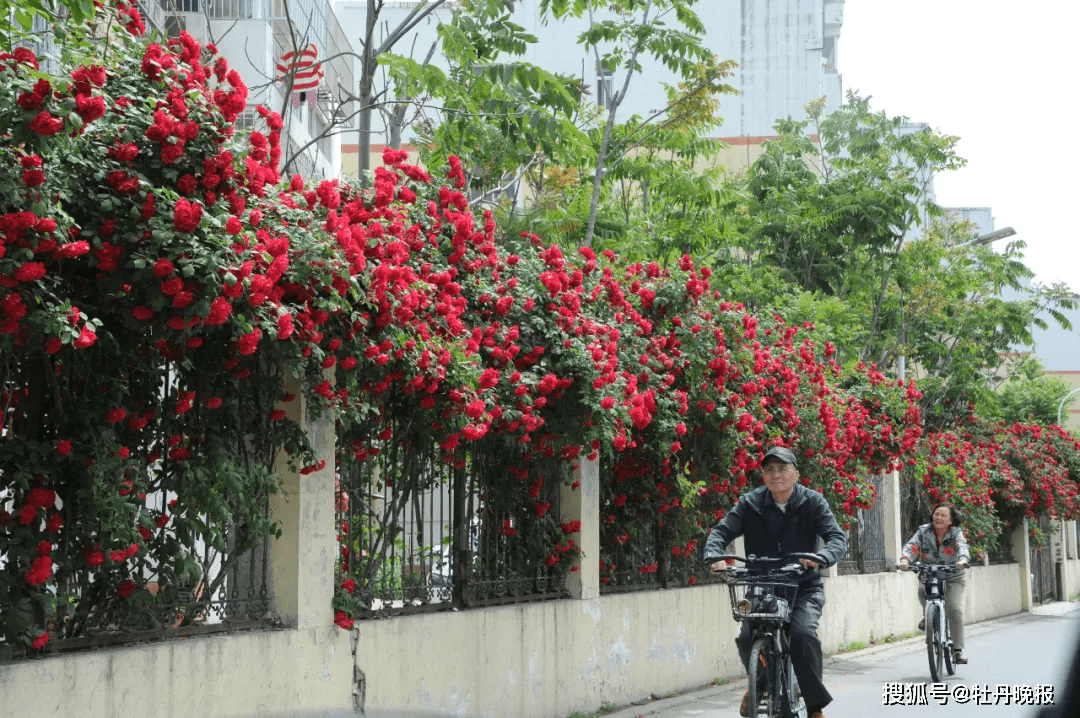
x: 418, y: 534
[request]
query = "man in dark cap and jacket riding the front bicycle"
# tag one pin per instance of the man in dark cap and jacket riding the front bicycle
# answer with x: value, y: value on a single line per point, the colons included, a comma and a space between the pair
x: 779, y: 519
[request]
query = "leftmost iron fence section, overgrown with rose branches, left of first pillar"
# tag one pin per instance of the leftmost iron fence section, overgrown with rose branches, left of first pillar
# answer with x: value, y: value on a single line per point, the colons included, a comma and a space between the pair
x: 193, y: 576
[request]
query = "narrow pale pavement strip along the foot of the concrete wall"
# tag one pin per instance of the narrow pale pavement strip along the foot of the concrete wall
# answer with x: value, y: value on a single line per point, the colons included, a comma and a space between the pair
x: 724, y: 700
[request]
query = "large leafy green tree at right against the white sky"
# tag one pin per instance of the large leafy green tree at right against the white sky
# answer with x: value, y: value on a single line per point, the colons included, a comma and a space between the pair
x: 849, y: 219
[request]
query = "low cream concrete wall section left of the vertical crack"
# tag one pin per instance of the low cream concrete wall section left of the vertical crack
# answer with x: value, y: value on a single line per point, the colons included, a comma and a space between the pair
x: 266, y: 673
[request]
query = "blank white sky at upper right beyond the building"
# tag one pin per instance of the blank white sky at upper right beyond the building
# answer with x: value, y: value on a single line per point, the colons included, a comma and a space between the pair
x: 1002, y: 76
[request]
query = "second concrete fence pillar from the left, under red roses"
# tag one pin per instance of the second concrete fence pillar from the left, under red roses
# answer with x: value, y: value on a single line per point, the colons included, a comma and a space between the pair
x: 584, y: 505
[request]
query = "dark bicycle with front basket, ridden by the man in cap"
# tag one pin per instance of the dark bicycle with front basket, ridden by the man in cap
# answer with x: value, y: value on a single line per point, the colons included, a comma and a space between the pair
x: 764, y: 594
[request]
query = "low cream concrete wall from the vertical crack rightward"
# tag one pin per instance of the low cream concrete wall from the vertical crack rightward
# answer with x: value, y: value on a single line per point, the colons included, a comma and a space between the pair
x: 549, y: 660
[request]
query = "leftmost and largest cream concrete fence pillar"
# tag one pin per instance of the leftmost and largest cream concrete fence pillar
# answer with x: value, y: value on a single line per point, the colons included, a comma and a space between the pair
x: 302, y: 561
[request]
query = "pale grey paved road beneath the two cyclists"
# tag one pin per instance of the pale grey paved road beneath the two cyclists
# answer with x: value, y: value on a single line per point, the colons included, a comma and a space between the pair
x: 1022, y: 651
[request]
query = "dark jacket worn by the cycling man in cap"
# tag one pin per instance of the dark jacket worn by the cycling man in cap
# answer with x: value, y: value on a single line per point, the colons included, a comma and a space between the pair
x: 769, y: 532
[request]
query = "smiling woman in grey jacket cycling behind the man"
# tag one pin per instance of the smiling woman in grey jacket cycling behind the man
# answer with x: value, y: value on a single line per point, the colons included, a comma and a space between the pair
x: 942, y: 543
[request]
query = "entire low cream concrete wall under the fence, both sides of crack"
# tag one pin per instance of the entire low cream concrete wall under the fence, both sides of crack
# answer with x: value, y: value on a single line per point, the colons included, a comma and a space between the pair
x: 543, y: 660
